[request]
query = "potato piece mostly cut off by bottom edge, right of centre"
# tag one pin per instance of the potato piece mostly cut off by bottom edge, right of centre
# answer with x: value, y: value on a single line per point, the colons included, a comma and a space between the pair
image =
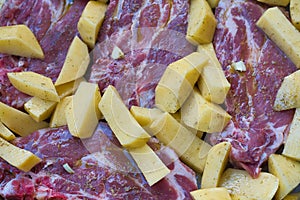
x: 211, y: 194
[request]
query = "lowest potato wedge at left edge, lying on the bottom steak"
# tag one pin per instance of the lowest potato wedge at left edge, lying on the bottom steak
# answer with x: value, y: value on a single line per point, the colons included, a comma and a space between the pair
x: 19, y: 158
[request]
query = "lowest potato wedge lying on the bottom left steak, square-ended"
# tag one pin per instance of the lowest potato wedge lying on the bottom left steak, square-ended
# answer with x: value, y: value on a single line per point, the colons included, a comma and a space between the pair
x: 149, y: 163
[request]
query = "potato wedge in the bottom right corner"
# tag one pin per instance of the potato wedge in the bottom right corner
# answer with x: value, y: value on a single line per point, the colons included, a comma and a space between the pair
x: 287, y: 171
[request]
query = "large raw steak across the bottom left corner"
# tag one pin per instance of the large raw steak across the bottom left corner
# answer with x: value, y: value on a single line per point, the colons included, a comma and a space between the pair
x: 102, y: 170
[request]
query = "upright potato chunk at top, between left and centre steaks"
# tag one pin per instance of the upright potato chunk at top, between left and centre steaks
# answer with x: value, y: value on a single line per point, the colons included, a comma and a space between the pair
x: 90, y: 22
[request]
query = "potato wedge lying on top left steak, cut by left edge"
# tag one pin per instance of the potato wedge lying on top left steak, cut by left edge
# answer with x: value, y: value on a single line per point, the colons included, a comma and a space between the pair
x: 20, y: 41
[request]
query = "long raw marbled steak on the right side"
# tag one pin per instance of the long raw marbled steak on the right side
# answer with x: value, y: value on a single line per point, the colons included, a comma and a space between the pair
x: 256, y: 130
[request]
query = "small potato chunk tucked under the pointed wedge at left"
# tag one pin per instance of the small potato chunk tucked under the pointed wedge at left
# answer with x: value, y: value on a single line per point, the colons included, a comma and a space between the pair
x: 39, y: 109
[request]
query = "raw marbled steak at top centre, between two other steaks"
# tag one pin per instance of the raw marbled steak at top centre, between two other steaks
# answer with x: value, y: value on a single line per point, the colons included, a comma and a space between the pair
x: 151, y: 34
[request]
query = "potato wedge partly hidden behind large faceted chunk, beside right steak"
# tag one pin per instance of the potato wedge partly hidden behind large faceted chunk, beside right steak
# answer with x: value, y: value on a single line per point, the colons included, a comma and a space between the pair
x: 212, y: 83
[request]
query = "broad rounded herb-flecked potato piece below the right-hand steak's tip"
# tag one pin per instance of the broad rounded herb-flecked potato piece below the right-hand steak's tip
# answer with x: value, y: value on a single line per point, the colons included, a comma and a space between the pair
x: 242, y: 186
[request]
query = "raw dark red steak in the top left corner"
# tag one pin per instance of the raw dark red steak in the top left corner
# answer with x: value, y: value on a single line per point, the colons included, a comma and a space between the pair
x: 54, y: 26
